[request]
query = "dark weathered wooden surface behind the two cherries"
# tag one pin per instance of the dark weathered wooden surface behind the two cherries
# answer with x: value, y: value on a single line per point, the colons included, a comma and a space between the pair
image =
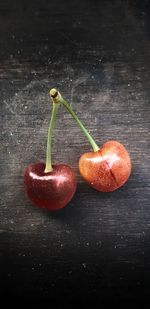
x: 98, y: 54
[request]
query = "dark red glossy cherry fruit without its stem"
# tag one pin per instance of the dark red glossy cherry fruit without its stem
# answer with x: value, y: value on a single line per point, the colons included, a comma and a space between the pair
x: 52, y: 190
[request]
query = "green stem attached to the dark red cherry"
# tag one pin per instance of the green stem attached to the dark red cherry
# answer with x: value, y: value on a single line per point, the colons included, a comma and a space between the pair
x: 48, y: 167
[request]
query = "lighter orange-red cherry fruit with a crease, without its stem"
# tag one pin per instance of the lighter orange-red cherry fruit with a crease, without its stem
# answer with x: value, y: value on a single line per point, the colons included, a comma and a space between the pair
x: 106, y: 169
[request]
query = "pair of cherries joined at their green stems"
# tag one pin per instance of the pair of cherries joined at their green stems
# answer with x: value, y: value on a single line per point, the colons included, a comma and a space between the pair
x: 53, y: 186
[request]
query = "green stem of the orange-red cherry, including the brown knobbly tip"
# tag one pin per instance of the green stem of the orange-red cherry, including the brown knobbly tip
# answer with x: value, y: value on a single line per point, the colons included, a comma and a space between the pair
x: 57, y: 98
